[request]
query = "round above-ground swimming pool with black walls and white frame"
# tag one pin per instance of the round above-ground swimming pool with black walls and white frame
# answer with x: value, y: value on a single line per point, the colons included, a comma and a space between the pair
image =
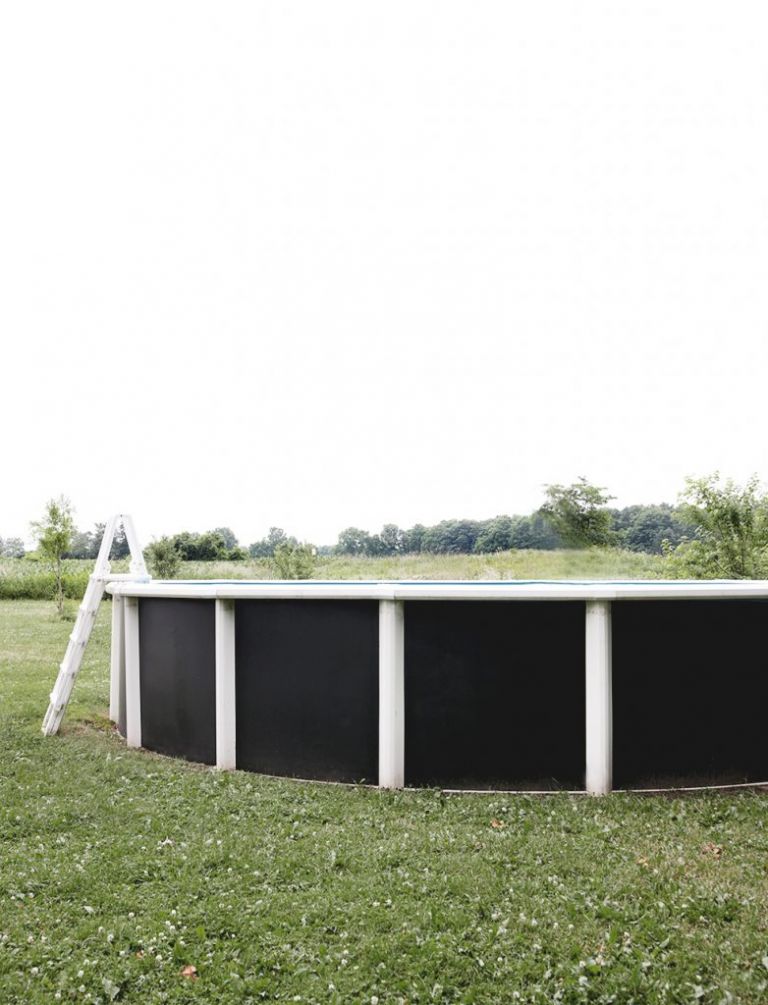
x: 513, y: 686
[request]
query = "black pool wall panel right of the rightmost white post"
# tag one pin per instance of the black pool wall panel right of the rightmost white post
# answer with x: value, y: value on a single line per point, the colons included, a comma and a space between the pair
x: 690, y: 692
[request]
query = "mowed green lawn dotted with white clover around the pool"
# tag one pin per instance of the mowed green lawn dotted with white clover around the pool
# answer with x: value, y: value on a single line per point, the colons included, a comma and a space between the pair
x: 120, y: 871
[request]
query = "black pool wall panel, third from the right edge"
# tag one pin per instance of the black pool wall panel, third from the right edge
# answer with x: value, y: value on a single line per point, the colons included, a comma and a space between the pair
x: 308, y: 688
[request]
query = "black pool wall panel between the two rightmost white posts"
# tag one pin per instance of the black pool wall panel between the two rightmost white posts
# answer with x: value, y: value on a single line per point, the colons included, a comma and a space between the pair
x: 495, y: 695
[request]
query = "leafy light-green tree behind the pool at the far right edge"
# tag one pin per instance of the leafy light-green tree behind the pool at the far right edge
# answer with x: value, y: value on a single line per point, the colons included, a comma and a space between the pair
x: 732, y: 525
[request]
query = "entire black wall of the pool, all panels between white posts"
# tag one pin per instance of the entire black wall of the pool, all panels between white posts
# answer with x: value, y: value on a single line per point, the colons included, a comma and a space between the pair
x: 495, y: 691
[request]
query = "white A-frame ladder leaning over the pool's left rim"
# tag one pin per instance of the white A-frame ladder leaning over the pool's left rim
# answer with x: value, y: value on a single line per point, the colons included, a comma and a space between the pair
x: 63, y: 690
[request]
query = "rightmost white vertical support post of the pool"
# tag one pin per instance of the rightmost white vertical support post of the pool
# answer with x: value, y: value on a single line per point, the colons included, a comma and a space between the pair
x: 600, y: 704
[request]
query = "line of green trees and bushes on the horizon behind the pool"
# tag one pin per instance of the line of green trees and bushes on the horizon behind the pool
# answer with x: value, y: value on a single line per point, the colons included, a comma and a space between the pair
x: 718, y: 529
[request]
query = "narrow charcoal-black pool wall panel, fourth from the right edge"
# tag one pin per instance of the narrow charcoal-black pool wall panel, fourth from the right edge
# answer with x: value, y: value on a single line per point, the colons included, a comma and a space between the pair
x: 178, y: 687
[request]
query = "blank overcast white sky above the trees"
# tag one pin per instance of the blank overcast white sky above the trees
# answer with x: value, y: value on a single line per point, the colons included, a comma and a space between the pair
x: 322, y: 264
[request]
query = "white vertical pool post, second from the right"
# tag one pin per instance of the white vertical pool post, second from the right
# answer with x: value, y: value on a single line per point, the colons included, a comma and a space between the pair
x: 392, y: 695
